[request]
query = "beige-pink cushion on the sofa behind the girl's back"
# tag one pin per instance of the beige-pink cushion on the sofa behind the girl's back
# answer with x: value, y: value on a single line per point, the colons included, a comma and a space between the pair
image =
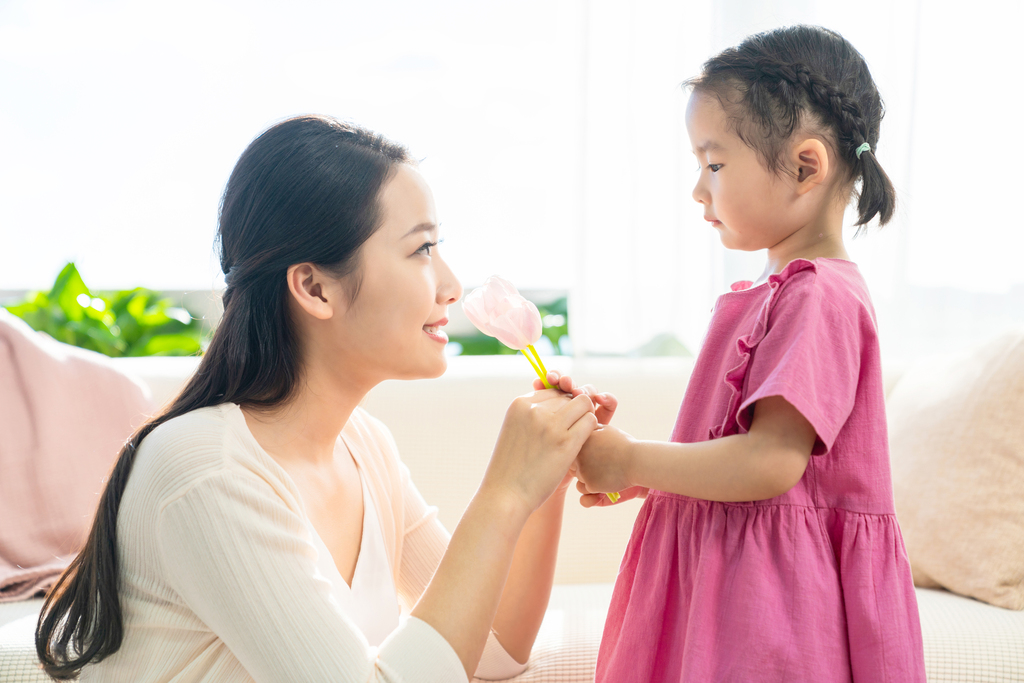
x: 957, y: 436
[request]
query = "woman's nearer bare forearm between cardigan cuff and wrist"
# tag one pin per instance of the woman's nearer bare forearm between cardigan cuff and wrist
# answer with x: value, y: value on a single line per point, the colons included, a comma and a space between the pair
x: 462, y: 599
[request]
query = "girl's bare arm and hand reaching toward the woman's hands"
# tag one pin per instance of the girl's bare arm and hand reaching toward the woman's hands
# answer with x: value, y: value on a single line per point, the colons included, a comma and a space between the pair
x: 766, y: 462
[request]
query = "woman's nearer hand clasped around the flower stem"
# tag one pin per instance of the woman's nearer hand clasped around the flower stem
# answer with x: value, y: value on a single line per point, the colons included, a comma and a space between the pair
x: 540, y: 439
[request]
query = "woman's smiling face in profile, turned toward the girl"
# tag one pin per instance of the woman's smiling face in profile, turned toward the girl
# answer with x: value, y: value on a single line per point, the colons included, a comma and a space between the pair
x: 393, y: 330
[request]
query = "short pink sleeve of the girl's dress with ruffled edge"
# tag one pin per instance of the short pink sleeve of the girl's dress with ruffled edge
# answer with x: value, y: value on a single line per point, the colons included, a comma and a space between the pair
x: 809, y: 356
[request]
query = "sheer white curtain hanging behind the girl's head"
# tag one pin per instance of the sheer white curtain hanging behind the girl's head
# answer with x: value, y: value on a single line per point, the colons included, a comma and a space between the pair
x: 948, y: 271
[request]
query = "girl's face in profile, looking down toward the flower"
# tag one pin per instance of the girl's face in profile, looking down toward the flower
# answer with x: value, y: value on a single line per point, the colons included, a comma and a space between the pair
x: 751, y: 207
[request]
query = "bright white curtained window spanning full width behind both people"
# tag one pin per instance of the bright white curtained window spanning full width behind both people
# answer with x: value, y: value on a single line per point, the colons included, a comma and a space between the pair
x: 551, y: 132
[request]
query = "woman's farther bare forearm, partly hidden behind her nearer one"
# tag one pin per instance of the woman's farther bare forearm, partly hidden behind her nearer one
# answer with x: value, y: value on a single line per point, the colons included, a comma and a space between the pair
x: 525, y: 601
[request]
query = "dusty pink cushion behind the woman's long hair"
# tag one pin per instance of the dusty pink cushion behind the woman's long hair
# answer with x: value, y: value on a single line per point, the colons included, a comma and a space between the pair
x: 65, y: 414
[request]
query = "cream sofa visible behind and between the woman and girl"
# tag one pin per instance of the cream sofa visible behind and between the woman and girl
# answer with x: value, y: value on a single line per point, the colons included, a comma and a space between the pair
x: 446, y: 430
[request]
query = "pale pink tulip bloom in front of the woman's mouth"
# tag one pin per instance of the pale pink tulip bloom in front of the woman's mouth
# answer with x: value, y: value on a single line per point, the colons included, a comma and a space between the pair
x: 499, y: 311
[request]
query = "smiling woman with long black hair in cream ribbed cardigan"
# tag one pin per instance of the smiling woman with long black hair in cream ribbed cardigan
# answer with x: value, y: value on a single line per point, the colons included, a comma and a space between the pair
x: 263, y: 528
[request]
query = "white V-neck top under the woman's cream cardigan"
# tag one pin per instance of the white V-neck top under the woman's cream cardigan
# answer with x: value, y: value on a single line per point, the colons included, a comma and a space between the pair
x: 371, y: 602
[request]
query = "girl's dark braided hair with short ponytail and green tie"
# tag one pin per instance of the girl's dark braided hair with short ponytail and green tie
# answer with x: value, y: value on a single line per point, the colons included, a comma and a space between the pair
x: 785, y: 75
